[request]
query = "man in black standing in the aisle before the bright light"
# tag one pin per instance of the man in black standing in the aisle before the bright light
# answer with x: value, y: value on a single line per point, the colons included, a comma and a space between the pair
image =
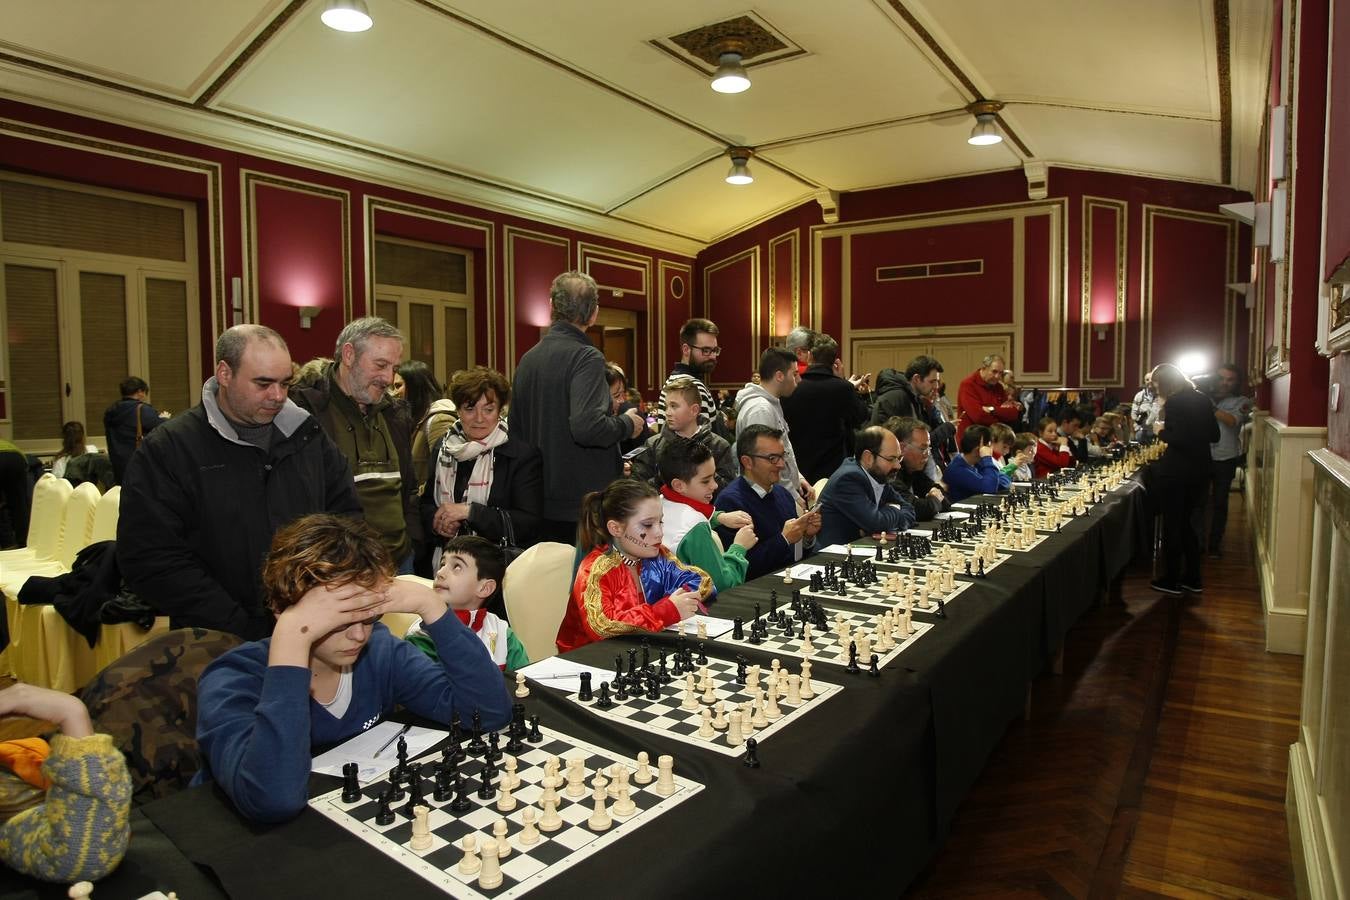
x: 1181, y: 478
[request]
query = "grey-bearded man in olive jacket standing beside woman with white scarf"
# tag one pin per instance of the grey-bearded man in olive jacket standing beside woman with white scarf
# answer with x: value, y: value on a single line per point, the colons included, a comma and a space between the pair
x: 373, y: 431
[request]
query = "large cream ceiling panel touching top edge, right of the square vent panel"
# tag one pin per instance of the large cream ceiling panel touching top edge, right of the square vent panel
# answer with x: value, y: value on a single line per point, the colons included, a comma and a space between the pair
x: 1133, y: 55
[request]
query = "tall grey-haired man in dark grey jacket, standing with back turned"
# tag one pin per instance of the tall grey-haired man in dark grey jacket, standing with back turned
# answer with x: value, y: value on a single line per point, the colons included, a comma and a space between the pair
x: 562, y: 407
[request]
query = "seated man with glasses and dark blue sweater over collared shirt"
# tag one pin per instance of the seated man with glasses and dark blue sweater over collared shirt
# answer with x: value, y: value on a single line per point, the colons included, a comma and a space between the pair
x: 782, y: 534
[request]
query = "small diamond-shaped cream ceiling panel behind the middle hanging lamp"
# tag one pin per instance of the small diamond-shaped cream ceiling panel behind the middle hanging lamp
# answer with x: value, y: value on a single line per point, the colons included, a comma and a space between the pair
x: 703, y: 206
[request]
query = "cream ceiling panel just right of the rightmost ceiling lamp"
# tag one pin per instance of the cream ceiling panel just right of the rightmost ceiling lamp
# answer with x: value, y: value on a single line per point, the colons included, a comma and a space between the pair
x: 1150, y: 145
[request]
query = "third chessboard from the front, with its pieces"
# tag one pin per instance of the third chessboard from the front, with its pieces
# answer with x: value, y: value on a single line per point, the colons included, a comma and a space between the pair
x: 812, y: 631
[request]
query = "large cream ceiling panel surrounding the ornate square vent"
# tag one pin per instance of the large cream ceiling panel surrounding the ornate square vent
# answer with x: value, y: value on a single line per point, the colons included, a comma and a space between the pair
x: 859, y: 65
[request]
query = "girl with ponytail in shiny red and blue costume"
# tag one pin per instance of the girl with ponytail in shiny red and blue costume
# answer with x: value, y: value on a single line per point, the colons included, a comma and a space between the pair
x: 627, y: 582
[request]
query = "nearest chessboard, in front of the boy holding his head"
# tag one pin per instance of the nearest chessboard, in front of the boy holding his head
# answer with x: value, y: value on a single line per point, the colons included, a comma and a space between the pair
x: 534, y: 855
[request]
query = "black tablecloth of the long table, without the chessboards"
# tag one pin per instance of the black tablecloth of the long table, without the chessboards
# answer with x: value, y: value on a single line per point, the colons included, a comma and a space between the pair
x: 858, y: 795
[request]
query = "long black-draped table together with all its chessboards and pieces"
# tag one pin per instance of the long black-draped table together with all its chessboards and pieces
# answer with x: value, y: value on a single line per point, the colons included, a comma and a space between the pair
x: 857, y: 763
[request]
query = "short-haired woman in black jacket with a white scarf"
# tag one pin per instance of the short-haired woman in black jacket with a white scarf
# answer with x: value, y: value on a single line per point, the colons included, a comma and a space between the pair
x: 481, y: 472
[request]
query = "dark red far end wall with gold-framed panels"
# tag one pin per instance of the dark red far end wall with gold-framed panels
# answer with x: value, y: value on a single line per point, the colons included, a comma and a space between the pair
x: 1190, y: 262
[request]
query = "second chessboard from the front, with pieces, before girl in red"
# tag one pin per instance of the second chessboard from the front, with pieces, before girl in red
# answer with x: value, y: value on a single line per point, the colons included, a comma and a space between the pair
x: 735, y: 696
